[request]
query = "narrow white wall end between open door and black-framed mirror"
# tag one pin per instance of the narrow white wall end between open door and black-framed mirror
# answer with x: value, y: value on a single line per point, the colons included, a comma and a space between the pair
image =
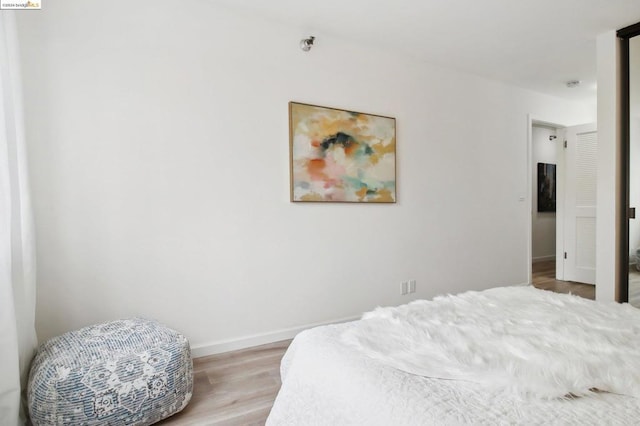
x: 607, y: 225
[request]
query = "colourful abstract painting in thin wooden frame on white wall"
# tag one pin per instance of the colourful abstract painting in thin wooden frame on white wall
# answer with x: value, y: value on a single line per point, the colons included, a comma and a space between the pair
x: 341, y: 156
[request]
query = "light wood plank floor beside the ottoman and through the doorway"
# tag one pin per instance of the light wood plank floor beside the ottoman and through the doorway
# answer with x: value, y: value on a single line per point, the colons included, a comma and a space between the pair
x: 238, y: 388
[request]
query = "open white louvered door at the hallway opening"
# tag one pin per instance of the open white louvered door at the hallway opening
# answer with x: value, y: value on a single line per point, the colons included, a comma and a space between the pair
x: 580, y: 204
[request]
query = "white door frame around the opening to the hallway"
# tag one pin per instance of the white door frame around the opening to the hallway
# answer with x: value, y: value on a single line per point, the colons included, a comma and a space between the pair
x: 532, y: 120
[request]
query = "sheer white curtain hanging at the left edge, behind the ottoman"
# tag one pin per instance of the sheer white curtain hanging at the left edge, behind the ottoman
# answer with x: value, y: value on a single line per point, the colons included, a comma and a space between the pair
x: 17, y: 251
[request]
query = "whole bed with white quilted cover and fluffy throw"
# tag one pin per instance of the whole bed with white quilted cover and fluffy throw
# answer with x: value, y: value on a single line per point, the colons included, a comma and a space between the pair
x: 366, y: 372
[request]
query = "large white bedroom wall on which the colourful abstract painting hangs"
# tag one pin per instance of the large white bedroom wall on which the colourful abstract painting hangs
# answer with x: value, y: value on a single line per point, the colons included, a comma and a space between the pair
x: 158, y: 138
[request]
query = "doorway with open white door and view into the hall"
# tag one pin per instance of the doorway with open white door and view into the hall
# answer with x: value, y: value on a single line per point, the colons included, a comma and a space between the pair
x: 562, y: 180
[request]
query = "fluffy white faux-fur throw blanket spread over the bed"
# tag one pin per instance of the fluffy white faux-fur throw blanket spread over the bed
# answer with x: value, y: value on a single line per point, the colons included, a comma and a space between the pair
x: 520, y: 339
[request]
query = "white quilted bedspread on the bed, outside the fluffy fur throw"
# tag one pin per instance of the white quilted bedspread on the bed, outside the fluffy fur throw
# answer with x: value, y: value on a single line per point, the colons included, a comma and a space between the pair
x: 327, y: 382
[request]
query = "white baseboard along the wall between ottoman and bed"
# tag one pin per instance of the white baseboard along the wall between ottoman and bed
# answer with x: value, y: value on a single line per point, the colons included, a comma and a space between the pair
x: 222, y: 346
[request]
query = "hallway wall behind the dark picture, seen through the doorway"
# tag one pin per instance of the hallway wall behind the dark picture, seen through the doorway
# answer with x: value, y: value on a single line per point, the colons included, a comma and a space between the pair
x: 543, y: 150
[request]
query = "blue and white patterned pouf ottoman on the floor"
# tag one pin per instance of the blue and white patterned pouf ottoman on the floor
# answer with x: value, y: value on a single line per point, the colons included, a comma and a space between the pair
x: 126, y: 372
